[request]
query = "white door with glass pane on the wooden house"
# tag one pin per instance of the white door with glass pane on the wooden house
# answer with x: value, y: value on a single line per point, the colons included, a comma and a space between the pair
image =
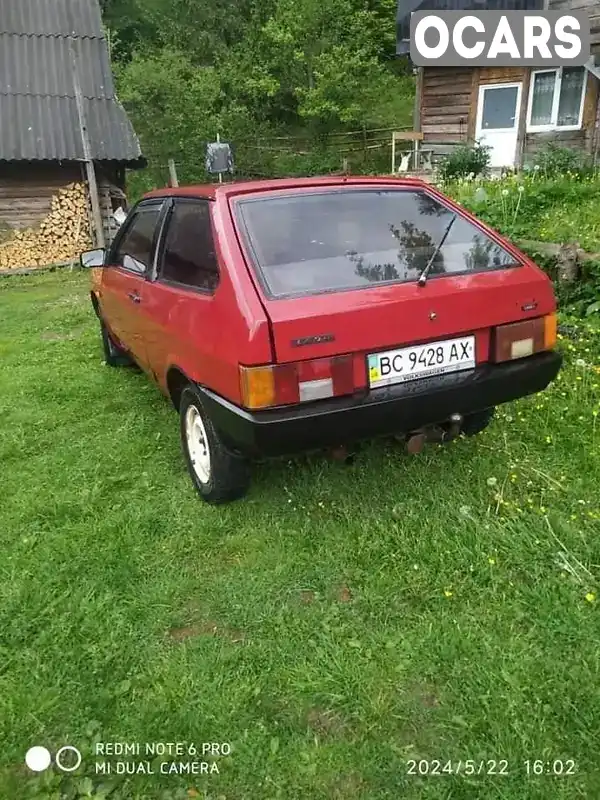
x: 498, y: 121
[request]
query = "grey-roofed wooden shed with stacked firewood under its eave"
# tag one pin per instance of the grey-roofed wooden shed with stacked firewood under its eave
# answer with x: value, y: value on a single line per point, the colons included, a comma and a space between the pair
x: 65, y: 139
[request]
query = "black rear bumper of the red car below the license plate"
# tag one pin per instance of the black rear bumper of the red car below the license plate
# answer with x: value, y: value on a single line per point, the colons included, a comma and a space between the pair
x: 391, y: 409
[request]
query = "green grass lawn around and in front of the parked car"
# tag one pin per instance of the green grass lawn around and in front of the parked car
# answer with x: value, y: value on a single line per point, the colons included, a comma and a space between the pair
x: 340, y: 623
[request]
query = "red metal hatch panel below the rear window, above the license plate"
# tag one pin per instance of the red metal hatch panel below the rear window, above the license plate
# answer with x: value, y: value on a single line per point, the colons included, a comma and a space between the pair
x: 397, y: 316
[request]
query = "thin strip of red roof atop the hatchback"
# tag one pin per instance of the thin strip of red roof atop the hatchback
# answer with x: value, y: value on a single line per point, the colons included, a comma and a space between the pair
x: 226, y: 190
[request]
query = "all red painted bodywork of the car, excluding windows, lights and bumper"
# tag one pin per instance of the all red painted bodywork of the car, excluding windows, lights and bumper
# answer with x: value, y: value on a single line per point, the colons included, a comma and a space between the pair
x: 207, y: 337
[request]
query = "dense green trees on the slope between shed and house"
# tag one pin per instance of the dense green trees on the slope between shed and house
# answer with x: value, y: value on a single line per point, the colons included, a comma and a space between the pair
x: 187, y: 70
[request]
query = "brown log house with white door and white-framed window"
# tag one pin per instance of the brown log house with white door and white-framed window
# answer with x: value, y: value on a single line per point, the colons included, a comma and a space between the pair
x: 513, y: 110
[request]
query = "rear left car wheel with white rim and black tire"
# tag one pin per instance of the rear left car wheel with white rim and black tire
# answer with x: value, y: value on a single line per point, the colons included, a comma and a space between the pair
x: 218, y: 475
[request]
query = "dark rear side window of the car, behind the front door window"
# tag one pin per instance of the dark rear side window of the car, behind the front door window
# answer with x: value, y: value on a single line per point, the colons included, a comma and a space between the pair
x: 189, y: 252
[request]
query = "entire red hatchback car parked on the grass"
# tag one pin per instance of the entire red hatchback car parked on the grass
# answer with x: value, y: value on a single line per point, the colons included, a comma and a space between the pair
x: 291, y: 315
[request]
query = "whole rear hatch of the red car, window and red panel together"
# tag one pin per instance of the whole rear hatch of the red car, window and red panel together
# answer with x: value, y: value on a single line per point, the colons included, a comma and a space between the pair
x: 338, y: 272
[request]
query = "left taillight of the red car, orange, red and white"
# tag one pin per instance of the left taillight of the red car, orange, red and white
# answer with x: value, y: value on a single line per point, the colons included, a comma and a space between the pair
x: 300, y: 382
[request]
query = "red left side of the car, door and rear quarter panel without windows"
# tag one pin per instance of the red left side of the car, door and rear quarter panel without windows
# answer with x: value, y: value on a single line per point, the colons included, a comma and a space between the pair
x: 203, y: 336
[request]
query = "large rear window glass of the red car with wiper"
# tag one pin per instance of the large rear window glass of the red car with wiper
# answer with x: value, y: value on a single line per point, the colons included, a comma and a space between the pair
x: 349, y: 239
